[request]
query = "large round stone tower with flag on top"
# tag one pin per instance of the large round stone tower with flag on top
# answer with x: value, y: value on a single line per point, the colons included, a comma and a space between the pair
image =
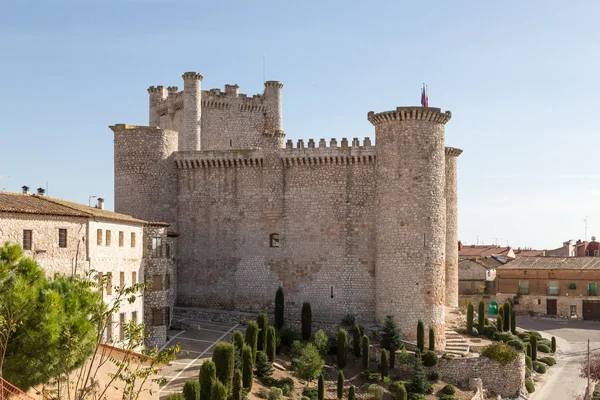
x: 411, y: 218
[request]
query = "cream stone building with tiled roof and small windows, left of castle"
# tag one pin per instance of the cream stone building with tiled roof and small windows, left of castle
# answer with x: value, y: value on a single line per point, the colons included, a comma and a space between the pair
x: 73, y: 239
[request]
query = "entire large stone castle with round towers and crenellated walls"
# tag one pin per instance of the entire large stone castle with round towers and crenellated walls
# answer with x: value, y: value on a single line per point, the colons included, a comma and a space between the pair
x: 351, y: 227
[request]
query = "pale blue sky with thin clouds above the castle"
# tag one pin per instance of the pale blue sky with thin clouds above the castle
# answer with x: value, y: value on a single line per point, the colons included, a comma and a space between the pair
x: 519, y: 76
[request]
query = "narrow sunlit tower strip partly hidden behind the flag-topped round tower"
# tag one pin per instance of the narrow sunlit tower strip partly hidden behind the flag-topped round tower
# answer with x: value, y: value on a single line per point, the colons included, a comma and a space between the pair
x: 451, y: 227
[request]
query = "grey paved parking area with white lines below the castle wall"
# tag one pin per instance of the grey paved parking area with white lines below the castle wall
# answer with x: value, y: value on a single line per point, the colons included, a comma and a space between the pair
x: 197, y: 345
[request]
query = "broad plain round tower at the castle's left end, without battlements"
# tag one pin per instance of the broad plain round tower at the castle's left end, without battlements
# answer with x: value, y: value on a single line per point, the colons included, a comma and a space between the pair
x: 145, y: 173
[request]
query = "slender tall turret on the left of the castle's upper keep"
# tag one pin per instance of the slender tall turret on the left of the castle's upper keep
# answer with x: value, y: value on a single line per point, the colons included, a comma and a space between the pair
x: 190, y: 139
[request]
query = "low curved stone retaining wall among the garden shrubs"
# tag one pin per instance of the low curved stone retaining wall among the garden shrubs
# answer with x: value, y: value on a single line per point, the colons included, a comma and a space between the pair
x: 505, y: 380
